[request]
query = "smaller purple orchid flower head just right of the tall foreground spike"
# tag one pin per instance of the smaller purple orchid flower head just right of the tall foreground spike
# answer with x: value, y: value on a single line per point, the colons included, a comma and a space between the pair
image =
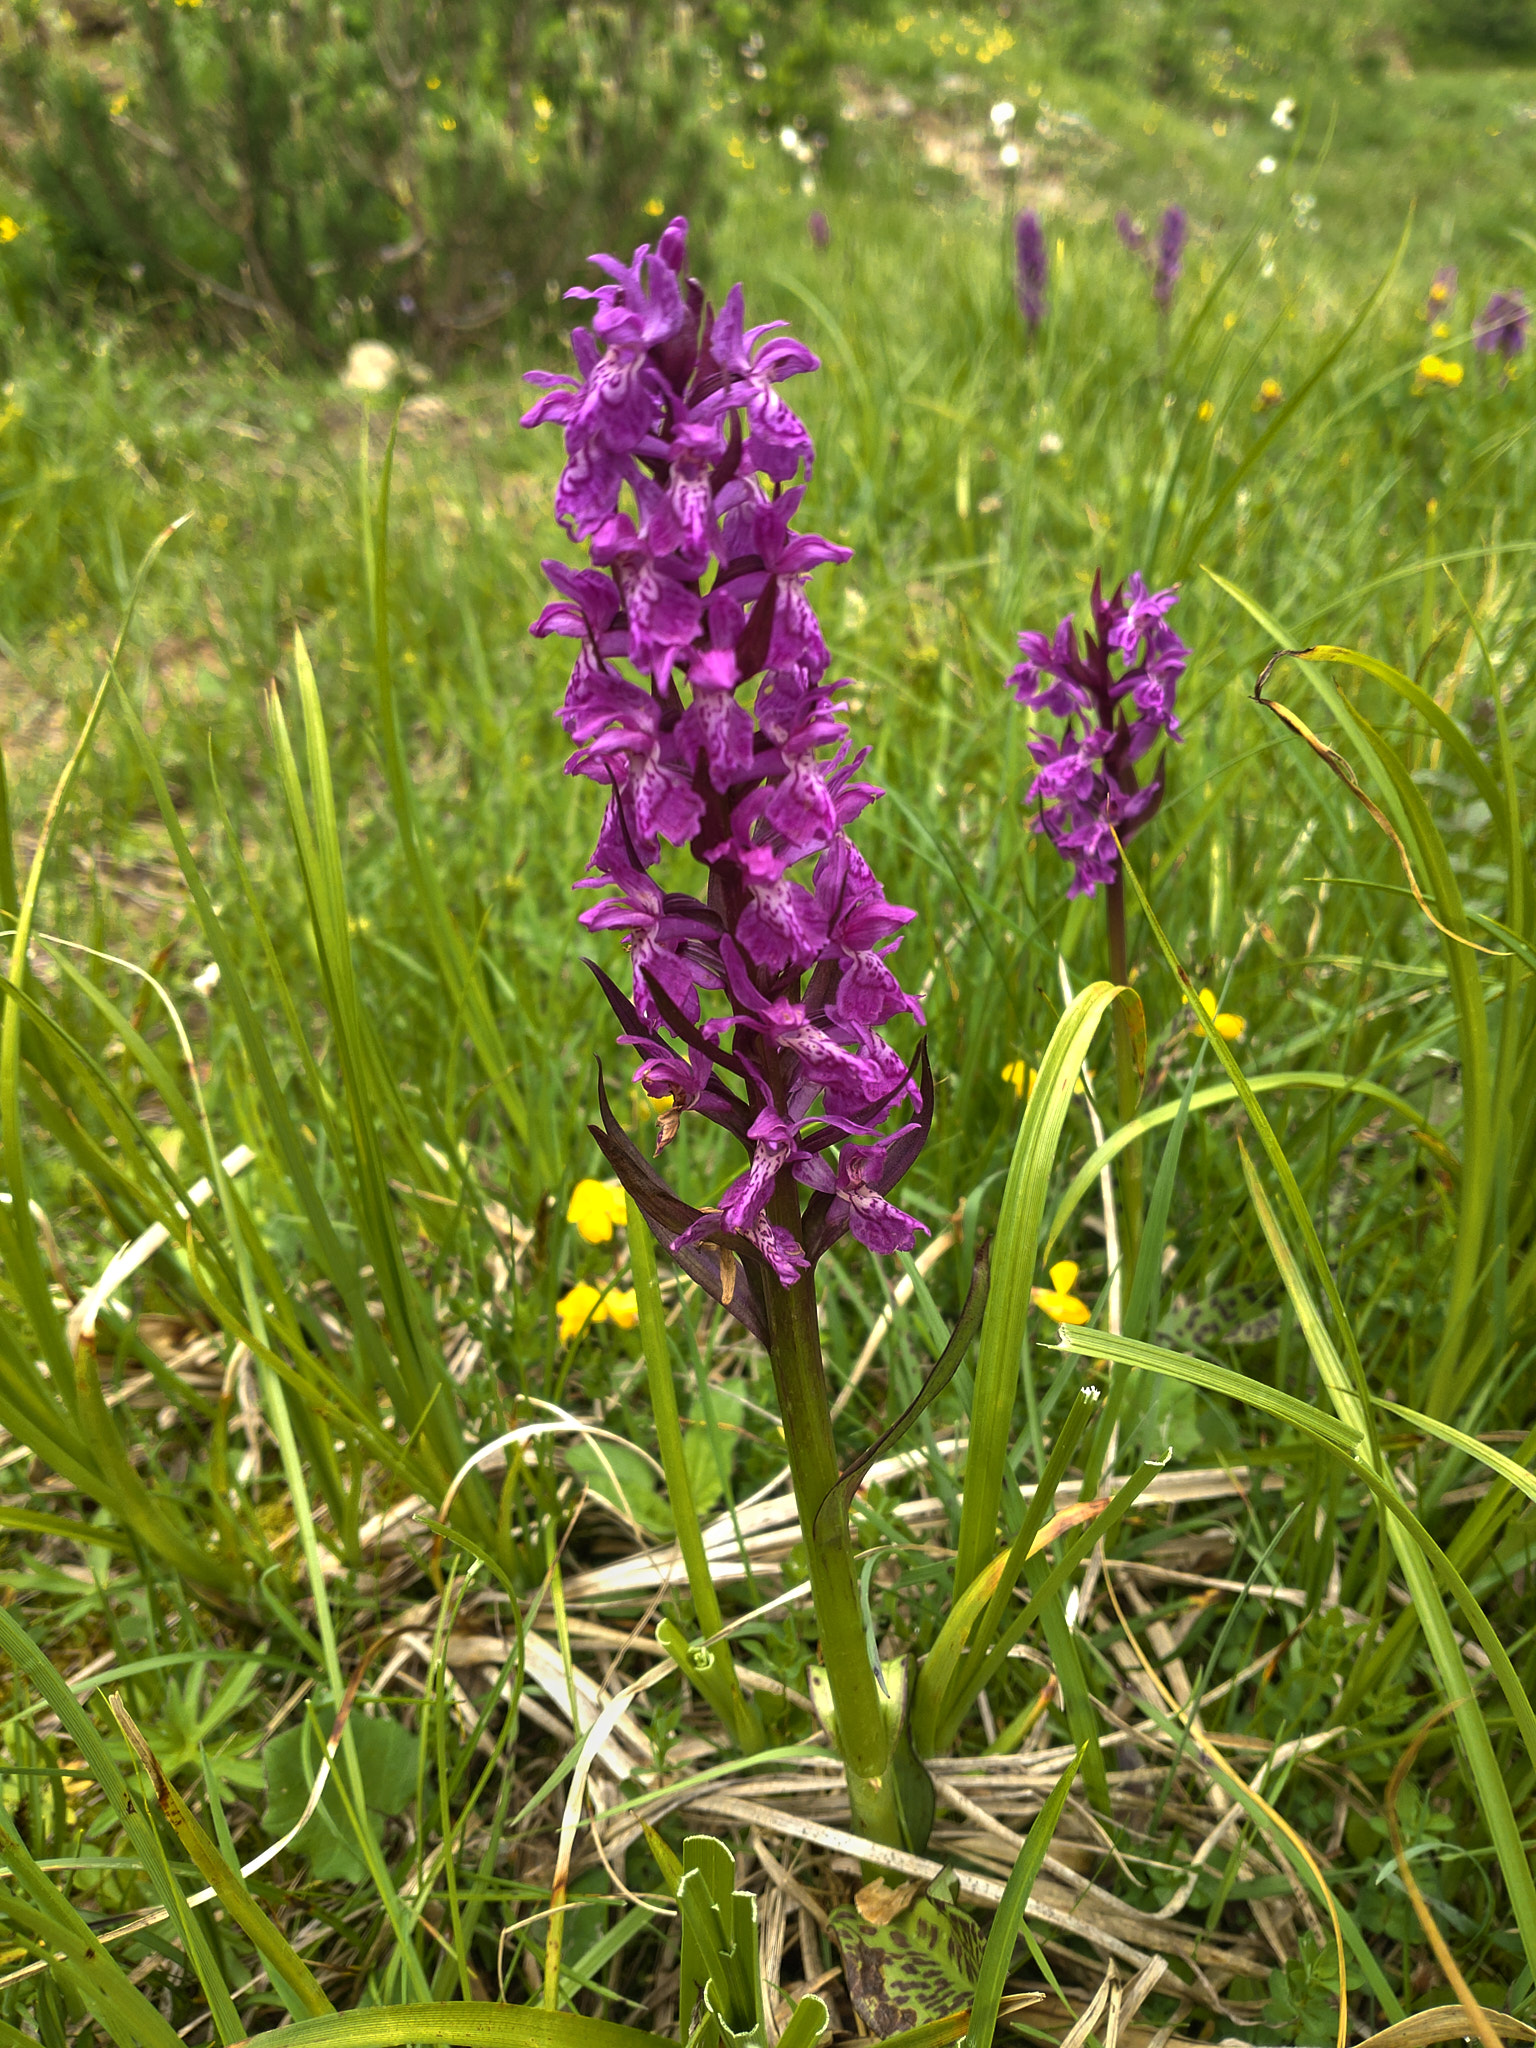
x: 1115, y: 695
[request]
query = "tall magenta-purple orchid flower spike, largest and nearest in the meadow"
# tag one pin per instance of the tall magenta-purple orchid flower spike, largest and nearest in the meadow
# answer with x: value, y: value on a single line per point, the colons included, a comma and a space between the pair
x: 763, y: 1000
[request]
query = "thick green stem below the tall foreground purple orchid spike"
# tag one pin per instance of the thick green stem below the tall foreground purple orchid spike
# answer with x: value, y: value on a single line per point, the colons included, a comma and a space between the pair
x: 863, y: 1730
